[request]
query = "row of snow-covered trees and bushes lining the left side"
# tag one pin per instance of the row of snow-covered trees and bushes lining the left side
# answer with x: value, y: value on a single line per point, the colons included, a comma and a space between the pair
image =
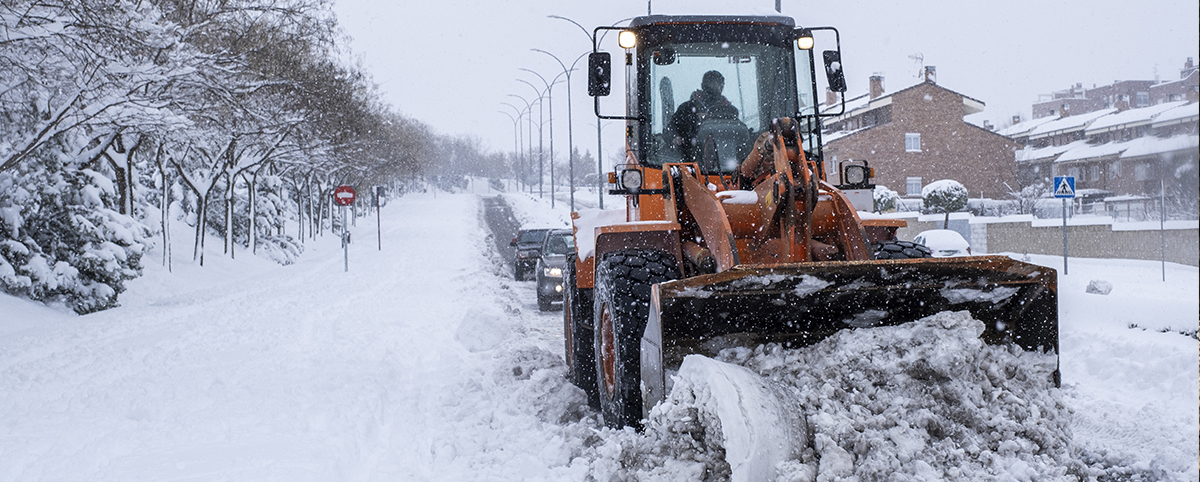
x: 118, y: 117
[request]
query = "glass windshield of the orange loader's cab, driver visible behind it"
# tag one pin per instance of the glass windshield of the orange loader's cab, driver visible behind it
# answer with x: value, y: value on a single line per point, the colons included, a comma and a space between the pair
x: 710, y: 101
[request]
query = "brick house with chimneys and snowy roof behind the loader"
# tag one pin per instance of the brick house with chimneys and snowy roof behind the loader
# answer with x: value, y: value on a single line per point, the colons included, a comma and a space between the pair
x: 917, y: 136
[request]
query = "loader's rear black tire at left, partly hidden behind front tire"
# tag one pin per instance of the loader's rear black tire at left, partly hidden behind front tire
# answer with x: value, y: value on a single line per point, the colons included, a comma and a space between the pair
x: 581, y: 360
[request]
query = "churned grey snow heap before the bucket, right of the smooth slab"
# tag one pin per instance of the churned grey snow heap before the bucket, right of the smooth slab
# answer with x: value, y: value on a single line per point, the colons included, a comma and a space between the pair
x: 923, y: 401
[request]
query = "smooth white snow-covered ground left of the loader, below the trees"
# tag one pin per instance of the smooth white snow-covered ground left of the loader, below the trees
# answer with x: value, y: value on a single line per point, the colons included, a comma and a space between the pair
x: 250, y: 371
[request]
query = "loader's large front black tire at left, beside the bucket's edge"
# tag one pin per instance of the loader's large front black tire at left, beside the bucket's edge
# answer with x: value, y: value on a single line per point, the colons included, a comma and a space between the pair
x: 622, y: 308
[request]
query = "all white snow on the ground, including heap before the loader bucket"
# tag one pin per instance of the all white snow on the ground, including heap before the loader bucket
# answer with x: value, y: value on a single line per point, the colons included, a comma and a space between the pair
x: 427, y: 361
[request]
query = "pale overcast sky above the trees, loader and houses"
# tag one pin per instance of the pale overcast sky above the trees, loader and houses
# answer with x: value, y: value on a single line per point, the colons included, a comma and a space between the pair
x: 452, y: 65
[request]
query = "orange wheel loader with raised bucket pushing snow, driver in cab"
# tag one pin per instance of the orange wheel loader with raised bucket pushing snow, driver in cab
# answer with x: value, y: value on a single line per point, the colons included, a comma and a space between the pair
x: 731, y: 234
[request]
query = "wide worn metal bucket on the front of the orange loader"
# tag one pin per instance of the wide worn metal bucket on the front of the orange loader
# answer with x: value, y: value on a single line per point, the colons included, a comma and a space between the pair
x: 802, y: 304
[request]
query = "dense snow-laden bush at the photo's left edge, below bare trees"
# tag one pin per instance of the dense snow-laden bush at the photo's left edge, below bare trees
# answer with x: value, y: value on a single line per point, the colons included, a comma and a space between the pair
x: 61, y: 242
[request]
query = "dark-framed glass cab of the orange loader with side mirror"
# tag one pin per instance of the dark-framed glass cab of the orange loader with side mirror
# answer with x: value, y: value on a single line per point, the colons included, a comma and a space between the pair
x: 767, y: 75
